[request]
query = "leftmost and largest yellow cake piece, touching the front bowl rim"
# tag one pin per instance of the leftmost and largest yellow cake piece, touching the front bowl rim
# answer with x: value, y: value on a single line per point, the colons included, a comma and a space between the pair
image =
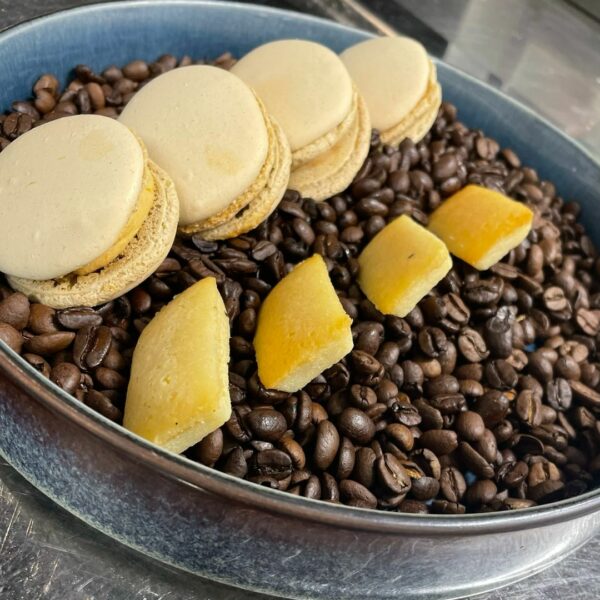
x: 178, y: 391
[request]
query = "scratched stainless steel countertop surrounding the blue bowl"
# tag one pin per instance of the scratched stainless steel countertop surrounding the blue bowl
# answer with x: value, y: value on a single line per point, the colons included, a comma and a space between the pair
x: 517, y: 45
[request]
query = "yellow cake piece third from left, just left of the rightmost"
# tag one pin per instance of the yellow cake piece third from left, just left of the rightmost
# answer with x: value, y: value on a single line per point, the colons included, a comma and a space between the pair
x: 400, y: 265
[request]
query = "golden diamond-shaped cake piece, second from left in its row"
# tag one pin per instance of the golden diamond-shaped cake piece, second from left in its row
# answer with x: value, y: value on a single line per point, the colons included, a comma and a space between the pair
x: 302, y: 328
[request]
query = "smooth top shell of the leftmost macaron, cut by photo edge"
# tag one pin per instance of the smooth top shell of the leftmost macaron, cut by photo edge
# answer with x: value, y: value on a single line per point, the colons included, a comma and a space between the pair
x: 67, y: 190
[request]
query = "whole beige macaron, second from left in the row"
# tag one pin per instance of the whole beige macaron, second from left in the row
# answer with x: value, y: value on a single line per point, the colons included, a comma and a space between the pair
x: 229, y: 159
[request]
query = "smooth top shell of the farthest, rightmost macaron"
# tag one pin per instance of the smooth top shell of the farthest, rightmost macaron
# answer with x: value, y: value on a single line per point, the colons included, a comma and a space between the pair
x: 392, y: 74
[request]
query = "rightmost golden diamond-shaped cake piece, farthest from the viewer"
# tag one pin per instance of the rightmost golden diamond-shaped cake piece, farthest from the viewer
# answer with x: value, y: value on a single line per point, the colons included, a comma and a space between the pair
x: 480, y: 226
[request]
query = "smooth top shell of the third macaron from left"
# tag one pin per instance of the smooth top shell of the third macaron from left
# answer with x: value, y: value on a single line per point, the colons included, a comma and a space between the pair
x: 304, y: 86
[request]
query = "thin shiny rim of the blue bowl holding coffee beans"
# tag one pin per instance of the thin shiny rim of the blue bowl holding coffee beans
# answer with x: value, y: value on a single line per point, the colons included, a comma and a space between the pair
x: 178, y: 467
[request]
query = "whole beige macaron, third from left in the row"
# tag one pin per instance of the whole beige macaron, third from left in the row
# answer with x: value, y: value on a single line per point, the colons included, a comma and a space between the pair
x: 308, y: 90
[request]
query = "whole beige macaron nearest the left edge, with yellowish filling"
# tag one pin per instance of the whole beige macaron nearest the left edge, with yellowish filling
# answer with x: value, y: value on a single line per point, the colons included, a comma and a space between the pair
x: 85, y: 216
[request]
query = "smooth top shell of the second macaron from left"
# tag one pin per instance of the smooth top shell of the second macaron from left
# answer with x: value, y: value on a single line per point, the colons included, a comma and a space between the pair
x: 204, y: 126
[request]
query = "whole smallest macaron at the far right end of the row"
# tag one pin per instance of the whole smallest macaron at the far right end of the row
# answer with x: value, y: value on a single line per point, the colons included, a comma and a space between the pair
x: 399, y: 84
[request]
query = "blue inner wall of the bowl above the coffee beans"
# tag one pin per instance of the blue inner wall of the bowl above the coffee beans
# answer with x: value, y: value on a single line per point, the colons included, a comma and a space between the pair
x: 116, y: 33
